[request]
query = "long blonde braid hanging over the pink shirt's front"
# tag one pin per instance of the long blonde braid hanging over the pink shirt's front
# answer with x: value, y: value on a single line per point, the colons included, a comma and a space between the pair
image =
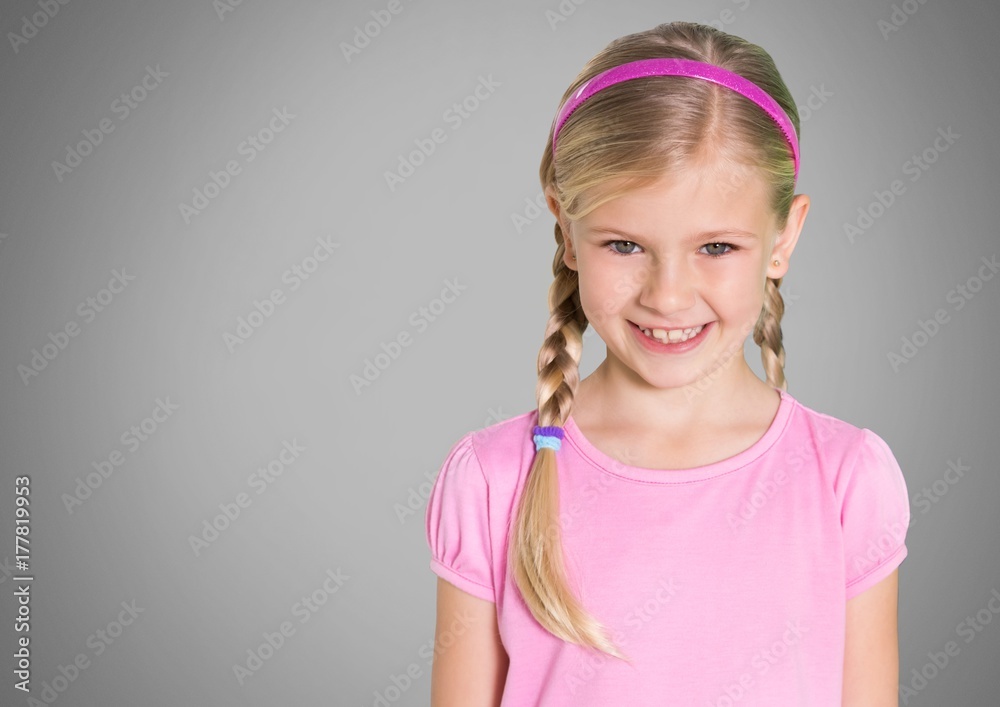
x: 536, y: 552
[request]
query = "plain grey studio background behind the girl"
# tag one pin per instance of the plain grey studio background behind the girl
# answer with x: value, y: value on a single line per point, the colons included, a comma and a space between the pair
x: 337, y: 506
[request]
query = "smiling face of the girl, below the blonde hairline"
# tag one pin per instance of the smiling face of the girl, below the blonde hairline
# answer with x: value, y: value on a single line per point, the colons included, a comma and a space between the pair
x: 690, y: 252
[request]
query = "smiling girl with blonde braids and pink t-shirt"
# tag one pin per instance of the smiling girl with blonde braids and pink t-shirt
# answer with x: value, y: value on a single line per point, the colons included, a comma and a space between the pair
x: 670, y: 530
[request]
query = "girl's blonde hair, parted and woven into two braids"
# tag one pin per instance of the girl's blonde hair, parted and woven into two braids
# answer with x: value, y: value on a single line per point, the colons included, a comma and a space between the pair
x: 631, y: 134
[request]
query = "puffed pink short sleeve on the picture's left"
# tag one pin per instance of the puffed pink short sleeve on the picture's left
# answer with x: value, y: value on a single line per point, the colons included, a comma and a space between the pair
x: 458, y: 531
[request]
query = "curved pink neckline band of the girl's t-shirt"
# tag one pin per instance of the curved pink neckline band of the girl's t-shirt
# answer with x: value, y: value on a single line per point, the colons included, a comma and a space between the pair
x: 614, y: 467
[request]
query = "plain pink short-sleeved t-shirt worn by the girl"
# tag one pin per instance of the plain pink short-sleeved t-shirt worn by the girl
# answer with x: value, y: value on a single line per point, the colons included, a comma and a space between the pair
x: 725, y: 583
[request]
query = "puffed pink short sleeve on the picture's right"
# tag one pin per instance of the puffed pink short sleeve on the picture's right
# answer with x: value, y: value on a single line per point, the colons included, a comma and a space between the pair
x: 875, y: 515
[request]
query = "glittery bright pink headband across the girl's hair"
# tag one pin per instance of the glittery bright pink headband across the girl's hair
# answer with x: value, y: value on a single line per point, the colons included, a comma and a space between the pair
x: 680, y: 67
